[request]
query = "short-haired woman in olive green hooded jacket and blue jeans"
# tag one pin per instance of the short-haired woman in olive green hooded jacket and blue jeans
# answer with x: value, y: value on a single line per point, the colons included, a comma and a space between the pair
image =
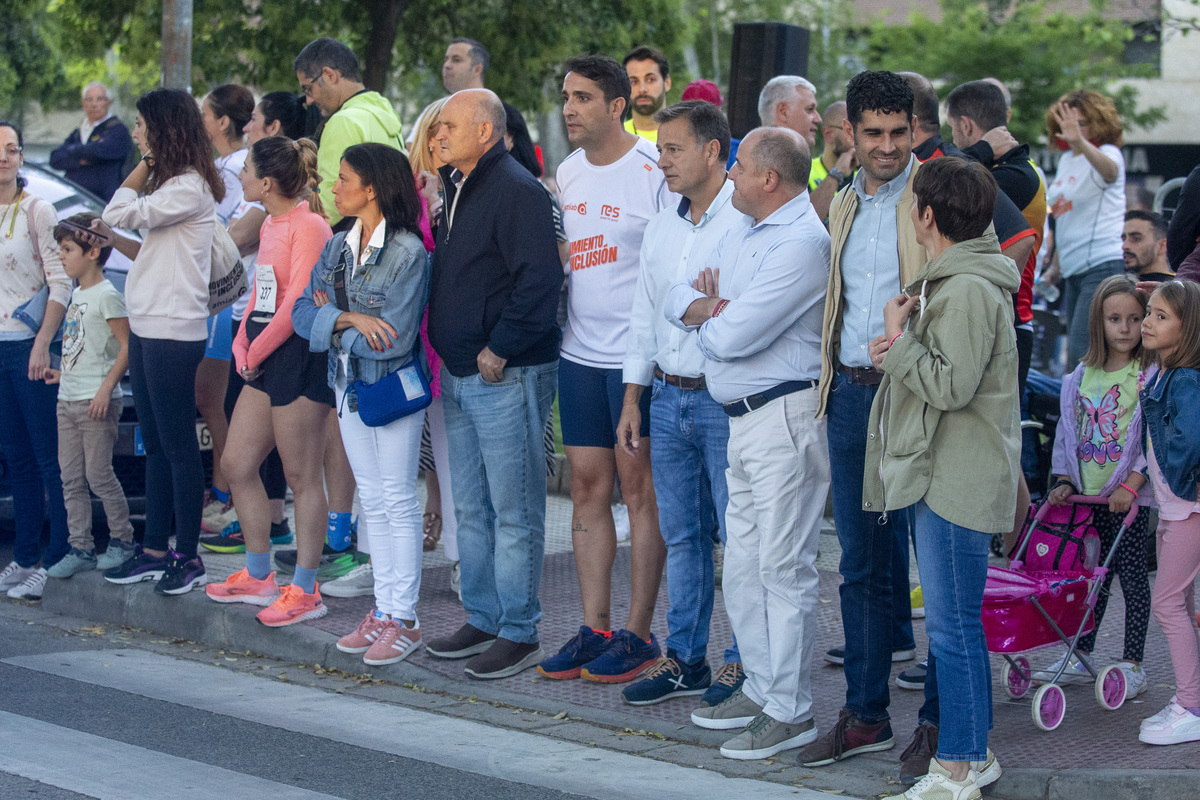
x: 945, y: 438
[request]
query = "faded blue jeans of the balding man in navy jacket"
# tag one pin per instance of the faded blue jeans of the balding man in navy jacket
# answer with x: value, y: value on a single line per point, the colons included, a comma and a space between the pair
x: 499, y: 474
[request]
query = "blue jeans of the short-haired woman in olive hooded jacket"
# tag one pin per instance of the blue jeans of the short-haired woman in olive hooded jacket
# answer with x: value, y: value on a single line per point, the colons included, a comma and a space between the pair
x: 953, y: 563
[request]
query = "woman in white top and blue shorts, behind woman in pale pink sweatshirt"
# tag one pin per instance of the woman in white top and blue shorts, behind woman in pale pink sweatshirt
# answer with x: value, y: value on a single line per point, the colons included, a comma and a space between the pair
x: 226, y: 111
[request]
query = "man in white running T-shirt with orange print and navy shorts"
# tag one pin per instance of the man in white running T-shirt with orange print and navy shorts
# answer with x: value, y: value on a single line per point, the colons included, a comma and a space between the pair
x: 610, y: 189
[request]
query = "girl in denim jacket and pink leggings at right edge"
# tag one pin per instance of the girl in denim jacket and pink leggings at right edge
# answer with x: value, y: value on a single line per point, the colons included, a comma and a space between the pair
x: 1171, y: 404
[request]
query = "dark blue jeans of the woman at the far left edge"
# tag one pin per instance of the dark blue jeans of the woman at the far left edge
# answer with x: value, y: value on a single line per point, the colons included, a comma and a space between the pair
x: 29, y: 440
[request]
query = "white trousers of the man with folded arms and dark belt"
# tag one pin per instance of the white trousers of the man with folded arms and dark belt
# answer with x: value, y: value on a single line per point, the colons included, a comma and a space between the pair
x: 778, y: 479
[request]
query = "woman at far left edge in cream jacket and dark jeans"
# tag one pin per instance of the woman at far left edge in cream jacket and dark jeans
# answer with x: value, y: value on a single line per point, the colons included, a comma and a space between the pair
x: 31, y: 275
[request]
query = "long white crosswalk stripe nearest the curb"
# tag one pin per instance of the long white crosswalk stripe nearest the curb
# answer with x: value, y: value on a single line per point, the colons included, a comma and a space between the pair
x: 449, y: 742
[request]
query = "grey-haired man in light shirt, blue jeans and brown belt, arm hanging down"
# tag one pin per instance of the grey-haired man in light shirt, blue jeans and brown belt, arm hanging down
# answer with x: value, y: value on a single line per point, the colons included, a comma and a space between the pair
x: 688, y: 429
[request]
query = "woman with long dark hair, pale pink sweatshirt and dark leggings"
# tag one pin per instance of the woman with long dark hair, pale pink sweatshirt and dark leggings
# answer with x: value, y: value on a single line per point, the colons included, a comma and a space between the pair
x: 170, y: 195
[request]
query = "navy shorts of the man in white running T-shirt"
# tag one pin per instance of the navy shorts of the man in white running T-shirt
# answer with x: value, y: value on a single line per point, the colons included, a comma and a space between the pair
x: 590, y: 401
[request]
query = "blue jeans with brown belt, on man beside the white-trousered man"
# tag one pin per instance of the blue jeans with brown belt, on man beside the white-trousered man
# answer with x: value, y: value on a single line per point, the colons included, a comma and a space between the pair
x: 689, y: 436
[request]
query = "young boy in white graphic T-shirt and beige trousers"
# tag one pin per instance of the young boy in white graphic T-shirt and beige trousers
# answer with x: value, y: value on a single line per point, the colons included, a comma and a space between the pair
x: 95, y: 356
